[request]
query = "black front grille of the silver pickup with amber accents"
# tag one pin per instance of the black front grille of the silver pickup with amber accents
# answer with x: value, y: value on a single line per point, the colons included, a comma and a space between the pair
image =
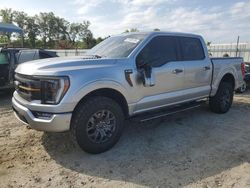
x: 28, y: 87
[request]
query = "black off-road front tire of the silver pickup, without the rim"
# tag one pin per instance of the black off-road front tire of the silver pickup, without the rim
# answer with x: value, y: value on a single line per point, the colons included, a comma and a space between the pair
x: 81, y: 117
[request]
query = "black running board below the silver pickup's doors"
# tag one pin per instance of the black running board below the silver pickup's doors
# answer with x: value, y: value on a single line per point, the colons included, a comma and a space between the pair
x: 166, y: 111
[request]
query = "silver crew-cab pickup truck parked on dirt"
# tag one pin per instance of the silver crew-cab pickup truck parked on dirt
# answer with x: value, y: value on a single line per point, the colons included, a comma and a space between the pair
x: 123, y: 77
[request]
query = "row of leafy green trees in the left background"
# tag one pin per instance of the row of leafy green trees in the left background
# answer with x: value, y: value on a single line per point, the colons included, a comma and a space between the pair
x: 49, y: 31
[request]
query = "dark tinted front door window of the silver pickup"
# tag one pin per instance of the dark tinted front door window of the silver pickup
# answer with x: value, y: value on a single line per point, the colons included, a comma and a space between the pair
x: 159, y: 51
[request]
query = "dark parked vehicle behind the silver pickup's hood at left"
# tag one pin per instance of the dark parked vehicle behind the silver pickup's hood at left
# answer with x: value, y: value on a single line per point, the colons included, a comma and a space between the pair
x: 10, y: 58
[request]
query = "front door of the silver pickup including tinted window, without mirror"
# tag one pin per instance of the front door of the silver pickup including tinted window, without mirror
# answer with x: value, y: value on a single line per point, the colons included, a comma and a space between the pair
x: 162, y: 53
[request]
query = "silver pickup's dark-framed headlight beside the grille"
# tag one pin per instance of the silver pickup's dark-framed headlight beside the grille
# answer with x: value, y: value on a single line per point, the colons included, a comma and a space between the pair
x: 53, y: 89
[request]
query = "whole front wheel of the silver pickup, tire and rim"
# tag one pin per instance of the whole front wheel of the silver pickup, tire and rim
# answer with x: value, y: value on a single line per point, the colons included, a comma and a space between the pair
x: 97, y: 124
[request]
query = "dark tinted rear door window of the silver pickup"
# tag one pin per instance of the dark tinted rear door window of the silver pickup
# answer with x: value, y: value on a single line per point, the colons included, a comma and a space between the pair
x: 191, y: 49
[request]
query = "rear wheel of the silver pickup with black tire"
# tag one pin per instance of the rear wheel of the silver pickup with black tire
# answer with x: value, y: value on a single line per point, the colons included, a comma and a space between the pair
x: 223, y: 99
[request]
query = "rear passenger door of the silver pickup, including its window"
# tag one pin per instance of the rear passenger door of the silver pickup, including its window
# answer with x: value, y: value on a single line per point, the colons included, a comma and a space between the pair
x: 198, y: 68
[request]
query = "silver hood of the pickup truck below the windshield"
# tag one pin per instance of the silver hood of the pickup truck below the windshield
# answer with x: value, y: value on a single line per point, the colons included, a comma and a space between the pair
x: 55, y: 66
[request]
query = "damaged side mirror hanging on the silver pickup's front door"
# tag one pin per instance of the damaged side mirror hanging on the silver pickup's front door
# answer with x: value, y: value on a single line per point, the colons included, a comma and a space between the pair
x: 148, y: 77
